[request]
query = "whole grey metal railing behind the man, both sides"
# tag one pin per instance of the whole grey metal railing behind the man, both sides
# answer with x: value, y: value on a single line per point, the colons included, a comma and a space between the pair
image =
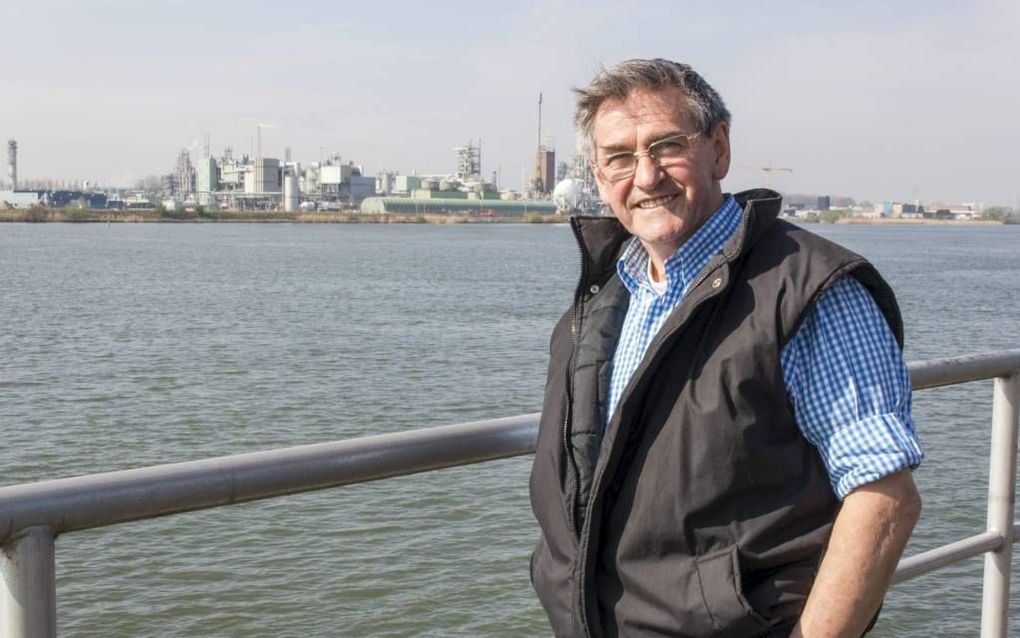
x: 32, y: 516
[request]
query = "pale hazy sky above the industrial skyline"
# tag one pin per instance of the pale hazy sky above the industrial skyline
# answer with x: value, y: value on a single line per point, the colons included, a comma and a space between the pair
x: 875, y: 101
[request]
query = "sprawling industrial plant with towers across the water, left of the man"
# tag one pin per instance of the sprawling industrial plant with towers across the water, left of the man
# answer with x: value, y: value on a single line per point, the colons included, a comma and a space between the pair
x: 254, y: 182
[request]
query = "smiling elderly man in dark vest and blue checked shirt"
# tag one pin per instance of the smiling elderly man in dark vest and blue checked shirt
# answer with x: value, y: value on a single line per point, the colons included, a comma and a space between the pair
x: 727, y: 446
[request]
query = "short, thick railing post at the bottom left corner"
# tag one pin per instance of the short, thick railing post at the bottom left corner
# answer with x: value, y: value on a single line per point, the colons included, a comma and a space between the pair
x: 28, y: 586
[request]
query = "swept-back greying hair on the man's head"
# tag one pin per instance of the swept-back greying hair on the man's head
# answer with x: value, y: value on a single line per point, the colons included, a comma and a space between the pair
x: 703, y: 106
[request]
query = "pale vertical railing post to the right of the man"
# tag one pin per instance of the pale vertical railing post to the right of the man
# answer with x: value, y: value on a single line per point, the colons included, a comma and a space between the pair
x: 1002, y: 498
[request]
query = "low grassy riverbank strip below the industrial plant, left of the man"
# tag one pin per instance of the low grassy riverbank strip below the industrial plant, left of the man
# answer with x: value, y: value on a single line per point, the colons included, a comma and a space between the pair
x: 76, y: 216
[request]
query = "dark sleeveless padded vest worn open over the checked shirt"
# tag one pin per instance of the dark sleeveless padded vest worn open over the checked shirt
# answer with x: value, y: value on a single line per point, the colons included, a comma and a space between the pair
x: 700, y: 510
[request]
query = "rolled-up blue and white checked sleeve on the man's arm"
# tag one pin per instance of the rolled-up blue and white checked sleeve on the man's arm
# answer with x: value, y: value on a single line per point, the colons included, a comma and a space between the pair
x: 849, y: 386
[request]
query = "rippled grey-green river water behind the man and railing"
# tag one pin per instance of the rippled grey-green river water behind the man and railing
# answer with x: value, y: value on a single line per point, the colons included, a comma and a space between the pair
x: 132, y: 346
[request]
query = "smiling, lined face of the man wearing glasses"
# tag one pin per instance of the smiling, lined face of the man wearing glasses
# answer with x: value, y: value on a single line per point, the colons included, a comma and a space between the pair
x: 661, y: 207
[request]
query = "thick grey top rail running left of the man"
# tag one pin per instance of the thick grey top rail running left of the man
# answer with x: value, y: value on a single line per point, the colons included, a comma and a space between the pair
x: 103, y: 500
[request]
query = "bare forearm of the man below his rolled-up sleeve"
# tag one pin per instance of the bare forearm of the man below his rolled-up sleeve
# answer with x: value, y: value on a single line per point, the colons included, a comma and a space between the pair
x: 869, y: 537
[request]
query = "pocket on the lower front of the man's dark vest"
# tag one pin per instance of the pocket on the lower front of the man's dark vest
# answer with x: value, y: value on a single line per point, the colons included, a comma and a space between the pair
x: 720, y: 578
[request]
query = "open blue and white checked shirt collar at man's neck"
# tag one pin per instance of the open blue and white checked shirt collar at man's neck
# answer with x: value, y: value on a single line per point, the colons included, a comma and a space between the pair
x: 690, y: 259
